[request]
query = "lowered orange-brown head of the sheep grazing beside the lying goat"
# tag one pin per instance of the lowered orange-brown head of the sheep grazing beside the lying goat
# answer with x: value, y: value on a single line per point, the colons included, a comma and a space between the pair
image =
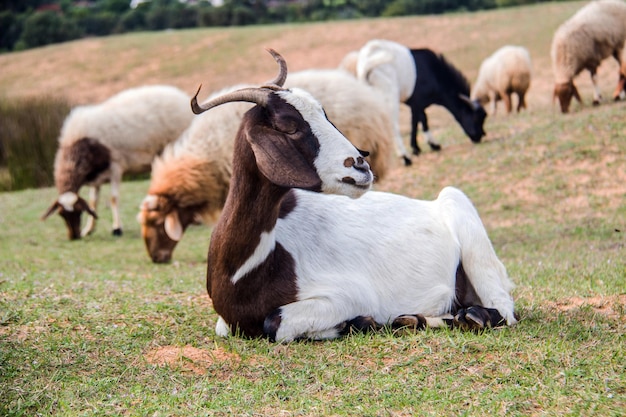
x: 162, y: 225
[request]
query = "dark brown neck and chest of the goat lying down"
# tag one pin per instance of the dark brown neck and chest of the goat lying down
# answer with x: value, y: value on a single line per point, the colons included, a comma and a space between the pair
x: 252, y: 207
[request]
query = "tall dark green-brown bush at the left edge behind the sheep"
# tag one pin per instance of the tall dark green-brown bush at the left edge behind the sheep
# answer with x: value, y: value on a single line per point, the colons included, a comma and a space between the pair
x: 28, y: 139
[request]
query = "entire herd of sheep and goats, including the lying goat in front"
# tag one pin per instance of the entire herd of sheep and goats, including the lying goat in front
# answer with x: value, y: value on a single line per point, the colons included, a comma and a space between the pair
x: 275, y: 137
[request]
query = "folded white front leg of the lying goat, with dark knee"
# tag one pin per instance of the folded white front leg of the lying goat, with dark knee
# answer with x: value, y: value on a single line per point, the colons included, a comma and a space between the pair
x: 312, y: 319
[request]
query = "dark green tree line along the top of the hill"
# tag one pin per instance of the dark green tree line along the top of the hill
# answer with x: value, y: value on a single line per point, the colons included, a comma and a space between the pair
x: 28, y: 24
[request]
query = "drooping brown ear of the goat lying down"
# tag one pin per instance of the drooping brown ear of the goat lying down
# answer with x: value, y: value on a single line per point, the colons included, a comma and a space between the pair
x: 280, y: 161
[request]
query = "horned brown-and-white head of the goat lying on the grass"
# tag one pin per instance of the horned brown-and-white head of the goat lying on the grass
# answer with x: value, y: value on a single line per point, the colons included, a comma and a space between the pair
x: 294, y: 144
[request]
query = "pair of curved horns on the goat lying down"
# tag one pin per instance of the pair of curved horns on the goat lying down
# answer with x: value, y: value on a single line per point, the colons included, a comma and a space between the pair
x: 252, y: 95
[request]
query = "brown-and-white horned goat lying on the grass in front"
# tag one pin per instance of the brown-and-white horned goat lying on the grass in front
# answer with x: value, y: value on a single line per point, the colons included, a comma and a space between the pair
x: 288, y: 259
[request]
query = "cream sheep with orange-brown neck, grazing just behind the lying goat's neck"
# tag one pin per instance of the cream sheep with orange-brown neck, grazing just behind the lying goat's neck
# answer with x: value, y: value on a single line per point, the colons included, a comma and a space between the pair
x: 190, y: 180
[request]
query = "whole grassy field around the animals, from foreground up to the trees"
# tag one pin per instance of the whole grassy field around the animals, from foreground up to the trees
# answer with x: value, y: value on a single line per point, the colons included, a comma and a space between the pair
x: 94, y: 328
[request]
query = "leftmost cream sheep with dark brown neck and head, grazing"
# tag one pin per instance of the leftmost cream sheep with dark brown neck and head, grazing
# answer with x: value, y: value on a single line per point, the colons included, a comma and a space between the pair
x: 99, y: 143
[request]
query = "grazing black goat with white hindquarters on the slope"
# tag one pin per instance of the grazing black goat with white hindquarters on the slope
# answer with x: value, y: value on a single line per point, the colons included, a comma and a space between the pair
x: 420, y: 78
